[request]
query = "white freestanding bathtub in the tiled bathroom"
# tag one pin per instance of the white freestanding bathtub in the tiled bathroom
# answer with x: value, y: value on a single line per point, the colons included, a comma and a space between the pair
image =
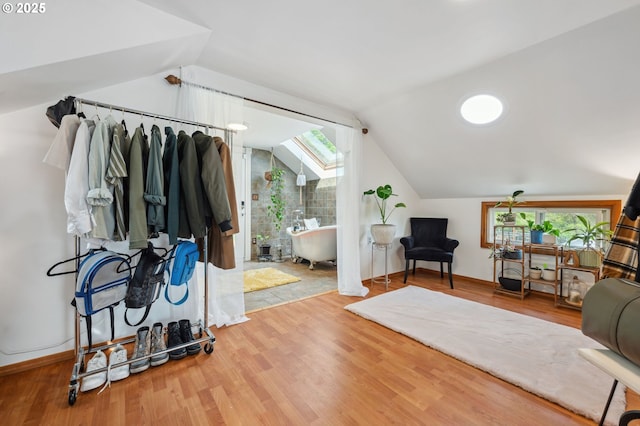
x: 315, y: 245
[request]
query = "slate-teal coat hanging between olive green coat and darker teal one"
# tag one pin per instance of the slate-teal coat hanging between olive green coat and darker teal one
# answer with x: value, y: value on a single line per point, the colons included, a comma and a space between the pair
x: 154, y: 186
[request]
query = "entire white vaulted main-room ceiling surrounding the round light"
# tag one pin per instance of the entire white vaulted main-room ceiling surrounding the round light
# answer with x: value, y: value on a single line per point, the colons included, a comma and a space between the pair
x: 567, y: 71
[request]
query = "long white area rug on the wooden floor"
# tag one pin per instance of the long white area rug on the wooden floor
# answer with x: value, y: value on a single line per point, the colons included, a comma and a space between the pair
x: 536, y: 355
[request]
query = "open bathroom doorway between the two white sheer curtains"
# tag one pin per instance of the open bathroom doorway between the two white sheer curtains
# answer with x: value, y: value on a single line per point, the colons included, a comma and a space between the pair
x: 273, y: 139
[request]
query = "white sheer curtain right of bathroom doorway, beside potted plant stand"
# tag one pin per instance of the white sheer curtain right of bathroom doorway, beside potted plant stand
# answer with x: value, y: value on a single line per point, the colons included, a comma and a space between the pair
x: 349, y: 143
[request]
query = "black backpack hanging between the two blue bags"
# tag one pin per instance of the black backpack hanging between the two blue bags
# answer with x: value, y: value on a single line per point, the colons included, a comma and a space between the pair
x: 146, y: 285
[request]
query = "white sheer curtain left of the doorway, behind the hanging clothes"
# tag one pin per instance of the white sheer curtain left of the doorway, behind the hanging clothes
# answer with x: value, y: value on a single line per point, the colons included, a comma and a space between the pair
x: 226, y: 297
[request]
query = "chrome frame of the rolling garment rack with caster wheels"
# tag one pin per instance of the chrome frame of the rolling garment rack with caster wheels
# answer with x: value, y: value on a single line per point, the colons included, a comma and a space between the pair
x: 205, y: 335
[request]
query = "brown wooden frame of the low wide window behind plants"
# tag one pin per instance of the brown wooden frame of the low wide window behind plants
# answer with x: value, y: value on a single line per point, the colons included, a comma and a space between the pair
x: 614, y: 206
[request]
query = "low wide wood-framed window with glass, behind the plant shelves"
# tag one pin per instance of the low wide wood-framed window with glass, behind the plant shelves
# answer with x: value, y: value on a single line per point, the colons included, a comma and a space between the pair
x: 561, y: 213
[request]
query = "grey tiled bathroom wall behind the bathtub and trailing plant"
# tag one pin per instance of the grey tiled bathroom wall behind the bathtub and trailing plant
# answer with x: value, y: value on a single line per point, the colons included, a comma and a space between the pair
x: 318, y: 200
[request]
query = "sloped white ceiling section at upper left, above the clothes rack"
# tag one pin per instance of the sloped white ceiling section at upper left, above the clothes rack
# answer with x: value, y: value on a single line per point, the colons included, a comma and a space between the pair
x: 76, y: 46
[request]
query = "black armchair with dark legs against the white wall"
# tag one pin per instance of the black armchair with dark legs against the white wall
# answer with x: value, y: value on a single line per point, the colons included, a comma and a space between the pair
x: 428, y: 241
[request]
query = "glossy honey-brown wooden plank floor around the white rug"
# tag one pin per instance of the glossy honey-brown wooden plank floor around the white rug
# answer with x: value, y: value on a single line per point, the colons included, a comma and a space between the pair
x: 304, y: 363
